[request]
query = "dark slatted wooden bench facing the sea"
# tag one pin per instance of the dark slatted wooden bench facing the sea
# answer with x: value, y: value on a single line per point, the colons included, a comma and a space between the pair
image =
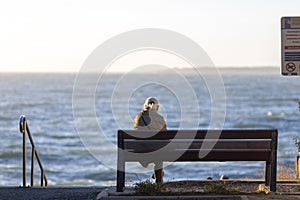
x: 198, y: 145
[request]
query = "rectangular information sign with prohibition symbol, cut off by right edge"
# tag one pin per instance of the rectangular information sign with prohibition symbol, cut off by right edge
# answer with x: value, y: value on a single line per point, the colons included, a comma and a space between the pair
x: 290, y: 46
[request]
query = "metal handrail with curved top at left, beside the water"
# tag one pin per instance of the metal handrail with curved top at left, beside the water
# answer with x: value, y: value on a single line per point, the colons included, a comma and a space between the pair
x: 24, y: 129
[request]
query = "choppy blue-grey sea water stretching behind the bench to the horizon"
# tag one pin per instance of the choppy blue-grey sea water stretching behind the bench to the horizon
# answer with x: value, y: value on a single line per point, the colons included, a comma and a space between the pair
x: 253, y: 100
